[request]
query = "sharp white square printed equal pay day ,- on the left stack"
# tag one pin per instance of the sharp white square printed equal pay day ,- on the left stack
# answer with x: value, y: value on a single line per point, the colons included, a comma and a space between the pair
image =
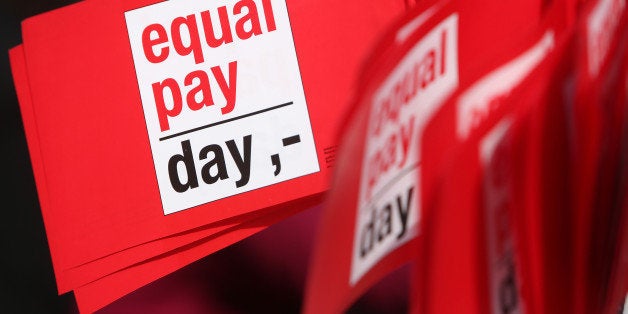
x: 222, y: 97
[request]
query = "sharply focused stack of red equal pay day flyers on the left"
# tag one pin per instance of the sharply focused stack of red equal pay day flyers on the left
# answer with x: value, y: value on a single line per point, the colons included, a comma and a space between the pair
x: 160, y: 132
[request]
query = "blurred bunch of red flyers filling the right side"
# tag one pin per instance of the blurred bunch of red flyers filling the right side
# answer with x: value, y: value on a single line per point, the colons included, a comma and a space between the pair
x: 487, y: 148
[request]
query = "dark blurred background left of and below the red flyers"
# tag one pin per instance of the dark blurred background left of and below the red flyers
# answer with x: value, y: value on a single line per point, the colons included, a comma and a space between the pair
x: 262, y: 274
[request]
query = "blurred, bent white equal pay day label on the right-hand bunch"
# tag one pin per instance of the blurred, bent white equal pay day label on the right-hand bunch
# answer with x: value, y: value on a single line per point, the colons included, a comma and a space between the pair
x: 388, y: 204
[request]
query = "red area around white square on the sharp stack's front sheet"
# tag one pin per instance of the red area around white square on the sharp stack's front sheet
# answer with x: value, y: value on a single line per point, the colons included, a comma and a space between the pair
x: 92, y: 133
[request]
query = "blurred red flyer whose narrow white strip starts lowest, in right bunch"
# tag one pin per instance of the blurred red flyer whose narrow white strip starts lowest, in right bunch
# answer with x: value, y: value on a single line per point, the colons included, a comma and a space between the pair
x: 469, y: 250
